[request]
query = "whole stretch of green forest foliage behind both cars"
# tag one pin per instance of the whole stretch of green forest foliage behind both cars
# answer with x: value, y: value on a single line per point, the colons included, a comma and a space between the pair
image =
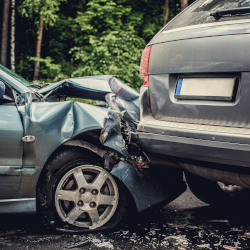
x: 88, y: 37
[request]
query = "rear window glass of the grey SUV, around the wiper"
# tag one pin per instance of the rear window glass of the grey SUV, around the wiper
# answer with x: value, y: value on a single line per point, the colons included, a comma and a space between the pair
x: 199, y: 13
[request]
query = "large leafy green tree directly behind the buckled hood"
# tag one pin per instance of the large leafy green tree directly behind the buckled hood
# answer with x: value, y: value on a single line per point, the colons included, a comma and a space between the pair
x: 108, y: 42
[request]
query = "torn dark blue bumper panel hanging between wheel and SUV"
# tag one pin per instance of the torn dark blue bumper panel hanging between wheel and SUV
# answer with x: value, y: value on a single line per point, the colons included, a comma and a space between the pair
x: 150, y: 188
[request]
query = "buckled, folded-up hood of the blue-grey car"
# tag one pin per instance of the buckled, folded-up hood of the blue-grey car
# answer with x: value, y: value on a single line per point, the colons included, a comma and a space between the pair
x: 119, y: 96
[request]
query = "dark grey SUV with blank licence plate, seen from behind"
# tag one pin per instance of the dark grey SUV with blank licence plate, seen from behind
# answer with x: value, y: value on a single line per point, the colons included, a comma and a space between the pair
x: 195, y: 102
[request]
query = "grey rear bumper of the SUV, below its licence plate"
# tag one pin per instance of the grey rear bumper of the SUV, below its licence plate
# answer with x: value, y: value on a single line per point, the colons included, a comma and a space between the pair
x: 215, y: 144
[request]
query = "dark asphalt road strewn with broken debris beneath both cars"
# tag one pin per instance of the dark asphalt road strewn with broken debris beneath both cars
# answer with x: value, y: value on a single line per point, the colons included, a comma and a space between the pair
x: 186, y: 223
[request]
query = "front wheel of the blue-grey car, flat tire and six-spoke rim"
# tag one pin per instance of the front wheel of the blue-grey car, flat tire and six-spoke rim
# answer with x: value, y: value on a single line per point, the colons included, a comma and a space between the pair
x: 75, y: 193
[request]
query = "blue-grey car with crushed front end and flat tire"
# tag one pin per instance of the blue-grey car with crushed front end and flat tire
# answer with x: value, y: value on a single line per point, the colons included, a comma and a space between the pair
x: 75, y: 163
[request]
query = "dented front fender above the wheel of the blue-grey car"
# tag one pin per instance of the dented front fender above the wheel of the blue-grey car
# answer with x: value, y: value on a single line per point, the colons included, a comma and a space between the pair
x: 54, y: 123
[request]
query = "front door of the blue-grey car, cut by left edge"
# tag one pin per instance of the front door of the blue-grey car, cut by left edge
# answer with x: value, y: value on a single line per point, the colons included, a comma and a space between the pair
x: 11, y: 145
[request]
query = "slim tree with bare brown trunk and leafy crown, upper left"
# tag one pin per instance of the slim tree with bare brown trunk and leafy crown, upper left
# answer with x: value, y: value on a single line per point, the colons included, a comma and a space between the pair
x: 47, y: 13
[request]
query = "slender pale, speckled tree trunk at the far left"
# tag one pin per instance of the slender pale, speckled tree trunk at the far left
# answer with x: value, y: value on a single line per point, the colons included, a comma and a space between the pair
x: 12, y: 39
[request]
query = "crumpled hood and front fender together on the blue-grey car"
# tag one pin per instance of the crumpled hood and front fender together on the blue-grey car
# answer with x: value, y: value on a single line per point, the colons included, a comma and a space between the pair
x: 53, y: 123
